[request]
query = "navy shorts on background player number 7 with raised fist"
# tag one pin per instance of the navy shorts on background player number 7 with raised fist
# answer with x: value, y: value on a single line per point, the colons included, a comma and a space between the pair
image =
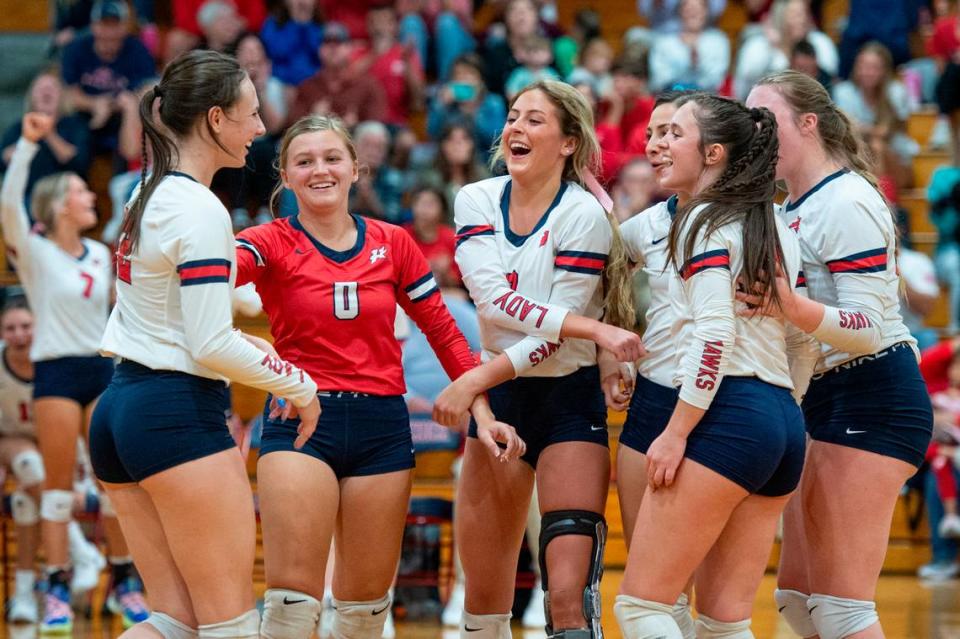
x: 81, y: 379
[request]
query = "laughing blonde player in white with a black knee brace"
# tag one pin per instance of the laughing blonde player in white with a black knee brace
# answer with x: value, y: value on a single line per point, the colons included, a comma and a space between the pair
x: 533, y: 247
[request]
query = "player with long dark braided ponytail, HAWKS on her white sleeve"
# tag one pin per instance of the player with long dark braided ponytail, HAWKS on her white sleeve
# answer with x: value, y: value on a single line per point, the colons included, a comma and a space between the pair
x: 732, y: 450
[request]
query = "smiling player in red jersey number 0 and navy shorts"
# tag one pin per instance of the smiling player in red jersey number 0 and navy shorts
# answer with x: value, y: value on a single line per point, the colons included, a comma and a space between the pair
x: 330, y: 282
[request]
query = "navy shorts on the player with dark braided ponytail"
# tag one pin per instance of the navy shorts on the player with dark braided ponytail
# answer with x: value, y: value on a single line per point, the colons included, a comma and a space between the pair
x: 753, y: 435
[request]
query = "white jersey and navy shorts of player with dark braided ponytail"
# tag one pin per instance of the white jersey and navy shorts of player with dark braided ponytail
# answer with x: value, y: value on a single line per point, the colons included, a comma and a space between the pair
x: 738, y: 370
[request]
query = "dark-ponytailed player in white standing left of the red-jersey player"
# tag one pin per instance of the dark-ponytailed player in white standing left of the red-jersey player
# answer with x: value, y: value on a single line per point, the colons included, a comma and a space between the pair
x: 158, y: 439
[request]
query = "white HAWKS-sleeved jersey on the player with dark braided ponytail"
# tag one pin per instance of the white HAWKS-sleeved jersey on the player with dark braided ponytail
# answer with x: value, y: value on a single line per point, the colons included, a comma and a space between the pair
x: 712, y: 341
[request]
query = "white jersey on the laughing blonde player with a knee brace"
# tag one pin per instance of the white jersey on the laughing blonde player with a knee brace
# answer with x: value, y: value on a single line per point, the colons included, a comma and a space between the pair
x: 524, y: 285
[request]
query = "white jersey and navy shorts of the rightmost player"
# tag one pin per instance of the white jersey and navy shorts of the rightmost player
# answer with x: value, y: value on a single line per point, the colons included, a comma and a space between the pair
x: 867, y: 392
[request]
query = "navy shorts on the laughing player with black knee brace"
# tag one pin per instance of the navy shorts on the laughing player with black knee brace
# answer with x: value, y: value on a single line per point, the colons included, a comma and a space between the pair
x: 551, y: 410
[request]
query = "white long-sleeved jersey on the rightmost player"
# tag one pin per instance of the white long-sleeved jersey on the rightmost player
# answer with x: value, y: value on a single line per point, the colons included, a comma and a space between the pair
x: 848, y: 244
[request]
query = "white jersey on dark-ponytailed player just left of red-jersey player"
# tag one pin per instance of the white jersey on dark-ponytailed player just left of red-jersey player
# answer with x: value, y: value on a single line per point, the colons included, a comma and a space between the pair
x: 173, y: 296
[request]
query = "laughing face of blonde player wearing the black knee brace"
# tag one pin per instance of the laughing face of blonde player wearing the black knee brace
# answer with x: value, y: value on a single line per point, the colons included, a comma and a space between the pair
x: 533, y: 143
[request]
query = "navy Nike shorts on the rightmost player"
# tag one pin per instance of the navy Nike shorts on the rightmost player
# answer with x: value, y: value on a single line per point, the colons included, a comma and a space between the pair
x: 876, y: 403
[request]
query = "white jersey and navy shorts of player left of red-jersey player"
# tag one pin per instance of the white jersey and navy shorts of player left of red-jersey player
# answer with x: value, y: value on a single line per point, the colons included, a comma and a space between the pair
x: 173, y: 327
